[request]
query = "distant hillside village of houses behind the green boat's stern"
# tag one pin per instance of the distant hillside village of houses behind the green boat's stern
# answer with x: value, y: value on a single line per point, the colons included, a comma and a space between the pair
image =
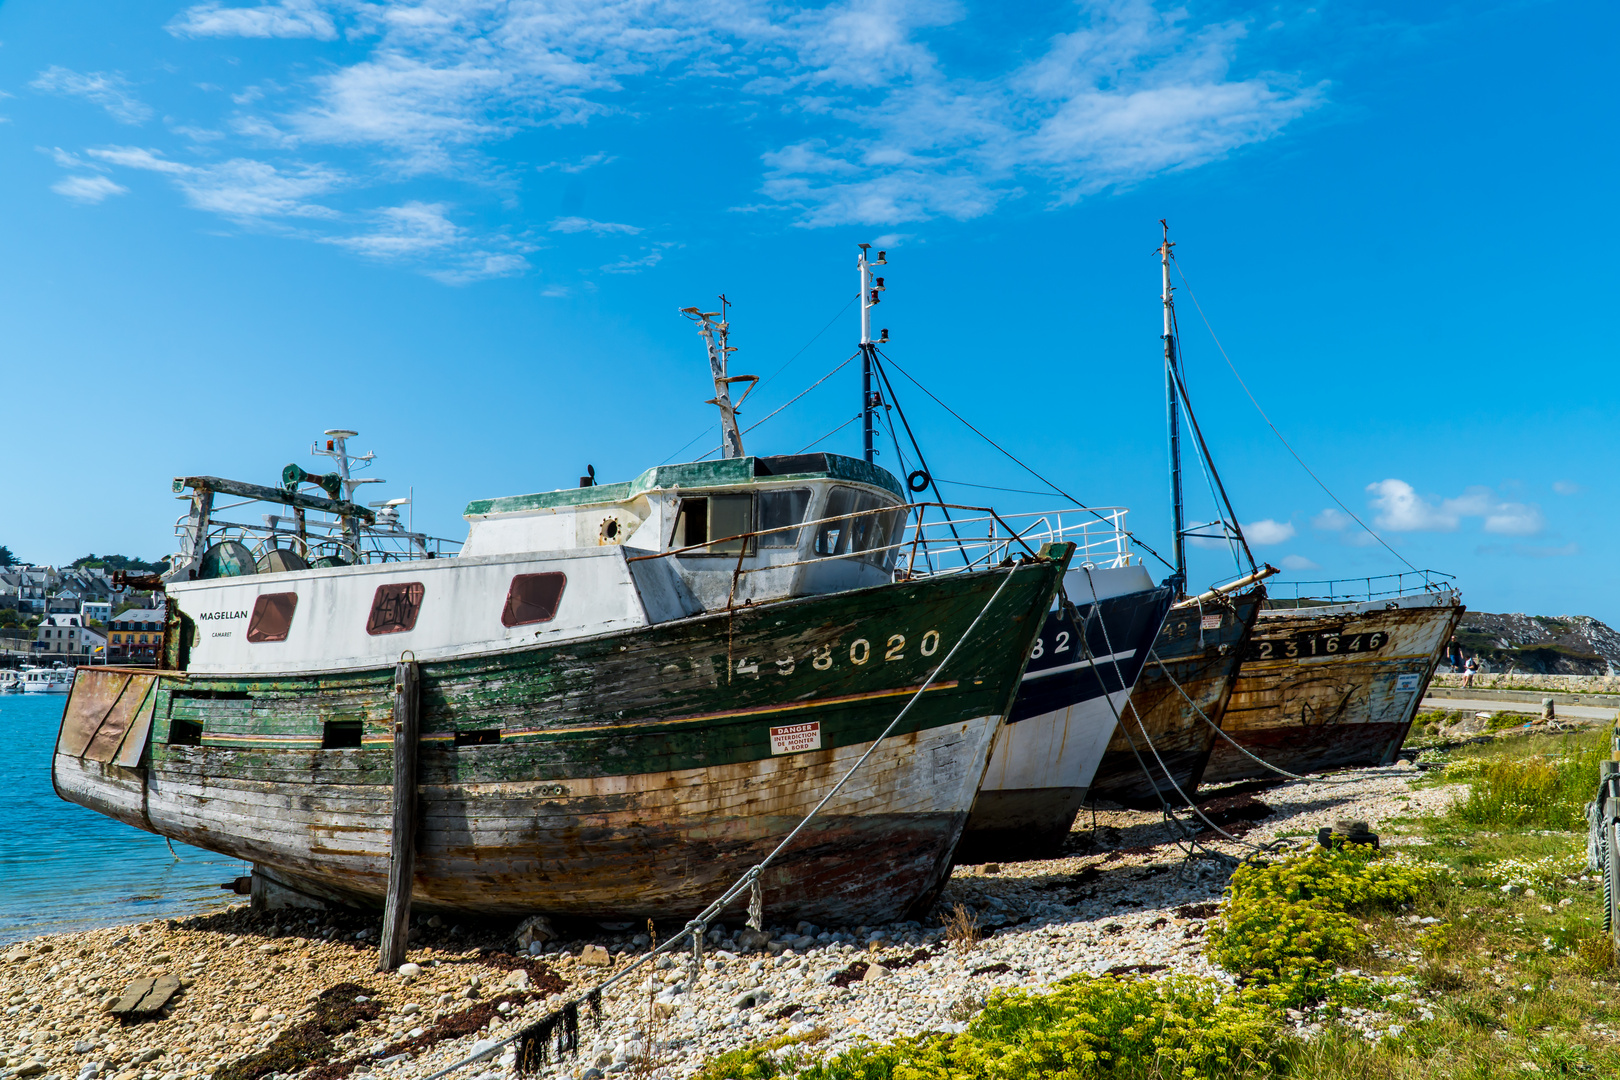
x: 77, y: 614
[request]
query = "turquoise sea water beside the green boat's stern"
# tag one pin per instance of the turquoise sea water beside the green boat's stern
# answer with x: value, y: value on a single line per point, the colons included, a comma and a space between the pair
x: 64, y: 867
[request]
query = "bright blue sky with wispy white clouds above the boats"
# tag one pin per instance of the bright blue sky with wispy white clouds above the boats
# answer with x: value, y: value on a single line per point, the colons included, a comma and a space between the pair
x: 467, y: 227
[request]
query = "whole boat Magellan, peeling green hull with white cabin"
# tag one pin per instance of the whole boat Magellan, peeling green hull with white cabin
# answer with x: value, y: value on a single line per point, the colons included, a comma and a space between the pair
x: 629, y: 694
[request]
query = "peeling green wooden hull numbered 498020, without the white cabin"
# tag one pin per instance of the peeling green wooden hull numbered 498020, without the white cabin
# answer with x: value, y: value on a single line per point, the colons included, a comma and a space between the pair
x: 629, y: 775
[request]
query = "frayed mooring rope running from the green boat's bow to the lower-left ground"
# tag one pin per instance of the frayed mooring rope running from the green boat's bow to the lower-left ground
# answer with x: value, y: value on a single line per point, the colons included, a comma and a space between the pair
x: 537, y: 1037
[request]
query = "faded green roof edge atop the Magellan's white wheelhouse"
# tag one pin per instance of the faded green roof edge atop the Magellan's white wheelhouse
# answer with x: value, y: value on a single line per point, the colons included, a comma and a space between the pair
x: 723, y: 474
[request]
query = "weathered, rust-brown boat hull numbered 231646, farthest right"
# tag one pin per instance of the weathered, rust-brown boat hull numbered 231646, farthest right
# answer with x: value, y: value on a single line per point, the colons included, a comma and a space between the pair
x: 1332, y: 687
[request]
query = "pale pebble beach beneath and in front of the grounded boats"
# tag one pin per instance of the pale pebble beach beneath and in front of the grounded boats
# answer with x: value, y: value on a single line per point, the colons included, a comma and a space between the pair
x: 1122, y: 901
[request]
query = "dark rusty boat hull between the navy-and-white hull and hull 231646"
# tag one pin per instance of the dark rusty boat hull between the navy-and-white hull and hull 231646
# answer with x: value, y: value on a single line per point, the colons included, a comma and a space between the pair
x: 1177, y: 742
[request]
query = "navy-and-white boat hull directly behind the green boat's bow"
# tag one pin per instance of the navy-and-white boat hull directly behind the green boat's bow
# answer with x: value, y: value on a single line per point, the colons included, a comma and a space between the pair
x: 1068, y: 707
